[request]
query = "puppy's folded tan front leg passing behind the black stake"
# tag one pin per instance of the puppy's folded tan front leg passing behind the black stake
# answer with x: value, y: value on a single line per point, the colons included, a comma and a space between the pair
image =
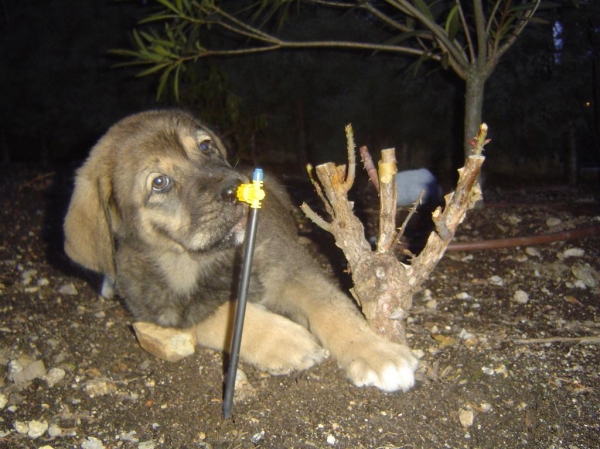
x: 270, y: 342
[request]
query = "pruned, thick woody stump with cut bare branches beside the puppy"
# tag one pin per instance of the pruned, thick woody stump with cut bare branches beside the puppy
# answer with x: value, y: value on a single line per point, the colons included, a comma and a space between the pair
x: 383, y: 286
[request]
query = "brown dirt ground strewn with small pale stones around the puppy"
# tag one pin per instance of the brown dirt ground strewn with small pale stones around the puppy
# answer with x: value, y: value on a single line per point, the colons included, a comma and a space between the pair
x: 73, y: 375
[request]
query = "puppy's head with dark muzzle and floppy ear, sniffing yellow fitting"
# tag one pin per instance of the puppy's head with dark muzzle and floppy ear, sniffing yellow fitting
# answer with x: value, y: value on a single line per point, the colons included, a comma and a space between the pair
x: 159, y: 180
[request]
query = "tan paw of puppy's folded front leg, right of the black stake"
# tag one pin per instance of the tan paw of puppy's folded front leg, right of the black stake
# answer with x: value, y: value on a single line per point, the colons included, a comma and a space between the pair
x: 281, y: 347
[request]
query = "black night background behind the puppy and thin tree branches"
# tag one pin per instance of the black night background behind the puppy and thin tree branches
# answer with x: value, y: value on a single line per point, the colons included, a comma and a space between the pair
x: 60, y: 92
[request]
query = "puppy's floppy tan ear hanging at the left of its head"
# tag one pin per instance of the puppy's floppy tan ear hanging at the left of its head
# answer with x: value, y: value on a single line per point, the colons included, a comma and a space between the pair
x: 91, y: 216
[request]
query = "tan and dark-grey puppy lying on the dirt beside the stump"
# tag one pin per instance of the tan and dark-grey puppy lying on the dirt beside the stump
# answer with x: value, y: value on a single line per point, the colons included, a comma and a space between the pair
x: 154, y: 209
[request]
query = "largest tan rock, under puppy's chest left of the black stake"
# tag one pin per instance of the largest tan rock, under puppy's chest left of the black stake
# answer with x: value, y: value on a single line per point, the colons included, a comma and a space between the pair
x: 165, y: 343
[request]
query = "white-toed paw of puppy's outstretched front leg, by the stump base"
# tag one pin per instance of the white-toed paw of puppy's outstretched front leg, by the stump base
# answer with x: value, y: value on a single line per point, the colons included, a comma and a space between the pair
x: 382, y: 364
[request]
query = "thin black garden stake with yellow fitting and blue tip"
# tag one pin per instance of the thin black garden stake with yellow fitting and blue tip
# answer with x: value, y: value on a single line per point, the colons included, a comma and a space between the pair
x: 251, y: 194
